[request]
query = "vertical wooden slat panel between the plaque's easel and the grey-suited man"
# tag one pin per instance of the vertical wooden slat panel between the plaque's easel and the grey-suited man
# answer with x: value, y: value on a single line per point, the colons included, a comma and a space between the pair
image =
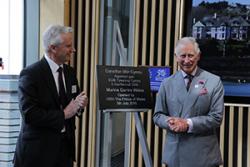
x: 157, y: 35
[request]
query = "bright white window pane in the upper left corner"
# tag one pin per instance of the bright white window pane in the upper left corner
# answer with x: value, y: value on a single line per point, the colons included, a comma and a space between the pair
x: 11, y: 43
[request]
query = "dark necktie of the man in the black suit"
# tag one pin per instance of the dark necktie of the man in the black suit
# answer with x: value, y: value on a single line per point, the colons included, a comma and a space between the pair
x: 62, y: 93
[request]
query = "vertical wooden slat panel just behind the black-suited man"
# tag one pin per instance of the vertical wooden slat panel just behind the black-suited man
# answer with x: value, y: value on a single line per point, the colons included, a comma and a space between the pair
x: 84, y: 18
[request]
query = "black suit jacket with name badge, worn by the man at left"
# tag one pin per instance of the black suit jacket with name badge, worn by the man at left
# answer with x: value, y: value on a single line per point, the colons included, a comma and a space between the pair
x: 42, y: 119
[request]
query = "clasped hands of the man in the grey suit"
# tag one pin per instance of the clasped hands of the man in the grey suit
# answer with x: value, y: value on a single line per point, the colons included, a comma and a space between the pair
x: 177, y: 124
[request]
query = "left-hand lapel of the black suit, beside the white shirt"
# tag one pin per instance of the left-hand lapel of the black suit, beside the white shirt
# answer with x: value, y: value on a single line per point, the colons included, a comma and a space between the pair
x: 49, y: 79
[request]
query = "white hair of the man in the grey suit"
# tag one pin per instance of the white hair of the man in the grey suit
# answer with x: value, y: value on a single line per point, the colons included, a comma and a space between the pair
x: 184, y: 41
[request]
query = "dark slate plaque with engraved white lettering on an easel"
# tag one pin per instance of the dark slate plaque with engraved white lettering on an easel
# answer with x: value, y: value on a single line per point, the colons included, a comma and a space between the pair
x: 124, y: 88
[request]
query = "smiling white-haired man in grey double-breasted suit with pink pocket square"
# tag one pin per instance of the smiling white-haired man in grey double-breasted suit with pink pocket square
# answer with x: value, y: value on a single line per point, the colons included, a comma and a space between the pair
x: 190, y: 107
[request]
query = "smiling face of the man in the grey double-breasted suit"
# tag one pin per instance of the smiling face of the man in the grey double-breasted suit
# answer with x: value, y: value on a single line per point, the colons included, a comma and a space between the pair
x: 187, y: 57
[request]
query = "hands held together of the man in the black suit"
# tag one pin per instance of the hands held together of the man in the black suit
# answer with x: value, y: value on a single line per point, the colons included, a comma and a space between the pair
x: 79, y: 102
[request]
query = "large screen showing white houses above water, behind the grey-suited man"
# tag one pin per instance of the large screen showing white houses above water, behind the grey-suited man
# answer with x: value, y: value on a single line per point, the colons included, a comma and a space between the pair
x: 227, y: 52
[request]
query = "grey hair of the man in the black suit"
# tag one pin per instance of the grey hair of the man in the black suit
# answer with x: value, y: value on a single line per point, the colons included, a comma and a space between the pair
x: 52, y: 35
